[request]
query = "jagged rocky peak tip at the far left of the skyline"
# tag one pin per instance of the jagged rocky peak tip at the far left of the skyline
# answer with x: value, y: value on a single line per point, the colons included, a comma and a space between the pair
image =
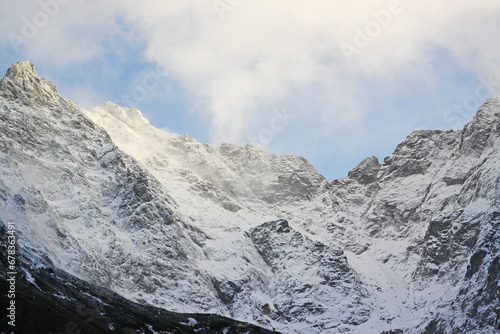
x: 21, y: 82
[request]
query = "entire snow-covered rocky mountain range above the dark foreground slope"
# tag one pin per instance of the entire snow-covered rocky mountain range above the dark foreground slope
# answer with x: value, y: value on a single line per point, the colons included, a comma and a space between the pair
x: 409, y: 245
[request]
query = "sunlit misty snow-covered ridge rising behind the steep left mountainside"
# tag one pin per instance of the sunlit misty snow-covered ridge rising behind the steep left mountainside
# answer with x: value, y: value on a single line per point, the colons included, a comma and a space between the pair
x: 231, y: 176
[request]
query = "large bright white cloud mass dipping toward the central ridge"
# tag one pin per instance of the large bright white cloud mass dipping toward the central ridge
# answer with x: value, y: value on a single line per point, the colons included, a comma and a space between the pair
x: 264, y: 53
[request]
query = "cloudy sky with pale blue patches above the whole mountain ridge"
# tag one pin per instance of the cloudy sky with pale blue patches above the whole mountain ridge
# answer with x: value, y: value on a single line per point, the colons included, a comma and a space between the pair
x: 333, y: 81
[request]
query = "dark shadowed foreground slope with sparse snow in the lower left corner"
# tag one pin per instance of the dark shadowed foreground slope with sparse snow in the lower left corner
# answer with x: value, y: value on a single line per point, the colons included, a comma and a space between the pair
x: 49, y: 300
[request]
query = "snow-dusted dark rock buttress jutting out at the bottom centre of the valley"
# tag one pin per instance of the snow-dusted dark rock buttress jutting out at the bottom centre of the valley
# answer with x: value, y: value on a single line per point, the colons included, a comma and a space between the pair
x: 309, y: 280
